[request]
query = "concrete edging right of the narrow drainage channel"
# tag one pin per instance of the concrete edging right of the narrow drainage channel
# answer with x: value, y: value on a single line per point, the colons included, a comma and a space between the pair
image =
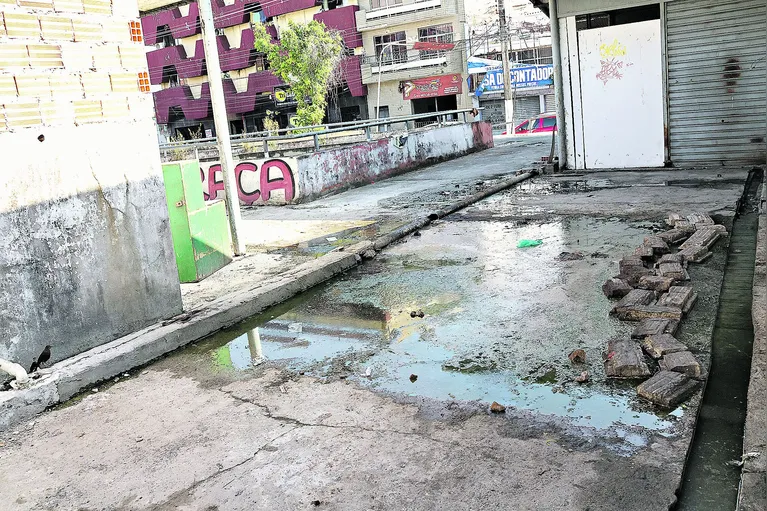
x: 753, y: 485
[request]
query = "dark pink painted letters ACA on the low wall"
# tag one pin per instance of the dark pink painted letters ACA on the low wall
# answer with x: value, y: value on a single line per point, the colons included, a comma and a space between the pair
x: 267, y: 183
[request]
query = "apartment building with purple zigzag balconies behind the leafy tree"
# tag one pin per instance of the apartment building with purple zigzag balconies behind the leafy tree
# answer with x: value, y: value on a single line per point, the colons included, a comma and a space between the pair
x: 177, y: 69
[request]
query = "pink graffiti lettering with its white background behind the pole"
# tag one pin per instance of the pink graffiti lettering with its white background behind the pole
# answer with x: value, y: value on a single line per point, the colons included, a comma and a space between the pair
x: 257, y: 181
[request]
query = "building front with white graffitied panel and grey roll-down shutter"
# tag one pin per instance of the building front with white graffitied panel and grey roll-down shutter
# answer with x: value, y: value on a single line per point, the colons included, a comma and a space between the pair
x: 648, y: 84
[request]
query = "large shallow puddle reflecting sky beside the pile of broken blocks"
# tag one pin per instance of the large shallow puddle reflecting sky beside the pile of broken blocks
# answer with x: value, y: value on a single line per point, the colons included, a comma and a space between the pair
x: 499, y: 322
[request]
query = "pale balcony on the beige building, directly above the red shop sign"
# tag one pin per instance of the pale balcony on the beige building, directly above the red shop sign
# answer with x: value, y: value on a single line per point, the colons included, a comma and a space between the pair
x: 412, y: 64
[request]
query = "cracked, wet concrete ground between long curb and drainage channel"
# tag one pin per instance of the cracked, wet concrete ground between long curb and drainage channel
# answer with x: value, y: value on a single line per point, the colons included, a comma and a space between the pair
x: 308, y: 428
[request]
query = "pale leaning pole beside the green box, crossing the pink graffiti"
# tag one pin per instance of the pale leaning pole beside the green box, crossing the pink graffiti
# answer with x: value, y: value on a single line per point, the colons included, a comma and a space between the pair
x: 222, y: 124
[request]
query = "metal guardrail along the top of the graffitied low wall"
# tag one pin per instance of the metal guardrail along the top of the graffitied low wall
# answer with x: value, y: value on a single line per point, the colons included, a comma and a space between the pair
x: 317, y: 132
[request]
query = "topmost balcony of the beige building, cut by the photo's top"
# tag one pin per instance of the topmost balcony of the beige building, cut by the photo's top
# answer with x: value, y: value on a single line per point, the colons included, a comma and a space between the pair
x: 409, y: 11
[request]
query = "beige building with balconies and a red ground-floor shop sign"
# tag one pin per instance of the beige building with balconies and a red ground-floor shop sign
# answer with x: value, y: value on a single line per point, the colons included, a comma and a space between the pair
x: 416, y: 50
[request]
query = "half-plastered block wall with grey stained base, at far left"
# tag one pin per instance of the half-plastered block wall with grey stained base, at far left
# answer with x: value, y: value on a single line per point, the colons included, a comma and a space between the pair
x: 85, y: 246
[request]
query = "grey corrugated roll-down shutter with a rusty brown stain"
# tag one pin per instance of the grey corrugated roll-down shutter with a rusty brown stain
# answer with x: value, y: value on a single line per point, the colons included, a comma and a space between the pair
x: 717, y: 80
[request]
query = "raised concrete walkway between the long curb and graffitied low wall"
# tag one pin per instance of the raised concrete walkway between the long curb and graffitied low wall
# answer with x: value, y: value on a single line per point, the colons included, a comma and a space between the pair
x: 283, y: 237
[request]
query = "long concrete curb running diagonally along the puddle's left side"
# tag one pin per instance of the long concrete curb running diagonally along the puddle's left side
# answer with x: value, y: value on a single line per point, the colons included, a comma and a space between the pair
x: 68, y: 377
